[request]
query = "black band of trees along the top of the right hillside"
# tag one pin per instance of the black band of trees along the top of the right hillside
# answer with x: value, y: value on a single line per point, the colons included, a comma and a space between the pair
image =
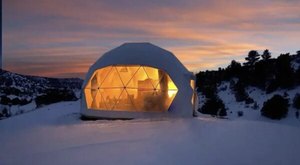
x: 266, y: 73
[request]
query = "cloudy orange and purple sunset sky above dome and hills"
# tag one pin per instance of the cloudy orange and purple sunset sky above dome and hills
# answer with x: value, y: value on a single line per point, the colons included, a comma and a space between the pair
x: 62, y: 38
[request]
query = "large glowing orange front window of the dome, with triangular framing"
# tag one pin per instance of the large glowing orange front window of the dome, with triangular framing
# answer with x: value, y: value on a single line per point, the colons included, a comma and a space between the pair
x: 130, y: 88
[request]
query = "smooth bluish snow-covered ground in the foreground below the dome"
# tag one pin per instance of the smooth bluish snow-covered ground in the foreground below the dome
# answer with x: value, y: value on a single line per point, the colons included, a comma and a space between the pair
x: 55, y: 135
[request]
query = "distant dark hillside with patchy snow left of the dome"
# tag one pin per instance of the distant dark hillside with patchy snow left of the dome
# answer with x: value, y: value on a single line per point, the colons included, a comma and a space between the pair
x: 22, y: 93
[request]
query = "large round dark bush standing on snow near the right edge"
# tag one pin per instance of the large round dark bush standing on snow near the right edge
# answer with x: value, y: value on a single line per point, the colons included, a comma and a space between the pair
x: 275, y: 108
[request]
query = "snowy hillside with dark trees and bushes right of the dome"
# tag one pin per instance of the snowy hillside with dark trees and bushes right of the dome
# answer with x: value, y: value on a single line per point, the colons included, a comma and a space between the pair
x: 268, y: 87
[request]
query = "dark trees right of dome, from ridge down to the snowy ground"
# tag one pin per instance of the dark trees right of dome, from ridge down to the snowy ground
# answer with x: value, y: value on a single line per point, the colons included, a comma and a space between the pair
x: 259, y: 70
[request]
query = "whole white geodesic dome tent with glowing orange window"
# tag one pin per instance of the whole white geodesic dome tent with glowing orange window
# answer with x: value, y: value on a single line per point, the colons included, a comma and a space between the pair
x: 137, y: 80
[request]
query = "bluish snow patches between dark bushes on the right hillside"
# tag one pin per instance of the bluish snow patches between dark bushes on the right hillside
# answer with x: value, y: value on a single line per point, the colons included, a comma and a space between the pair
x: 248, y: 110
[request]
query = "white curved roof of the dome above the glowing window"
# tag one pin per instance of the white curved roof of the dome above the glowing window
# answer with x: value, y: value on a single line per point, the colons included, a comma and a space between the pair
x: 140, y: 54
